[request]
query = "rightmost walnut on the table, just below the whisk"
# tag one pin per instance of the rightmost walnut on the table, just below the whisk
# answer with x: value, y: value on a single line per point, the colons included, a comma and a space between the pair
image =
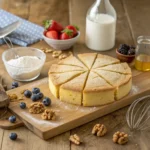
x: 120, y: 138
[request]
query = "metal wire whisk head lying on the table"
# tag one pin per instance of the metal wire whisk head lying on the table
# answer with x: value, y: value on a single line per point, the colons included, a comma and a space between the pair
x: 138, y: 114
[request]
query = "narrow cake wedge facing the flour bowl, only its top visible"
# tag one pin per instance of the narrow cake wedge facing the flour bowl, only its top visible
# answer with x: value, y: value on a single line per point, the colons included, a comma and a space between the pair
x: 55, y: 68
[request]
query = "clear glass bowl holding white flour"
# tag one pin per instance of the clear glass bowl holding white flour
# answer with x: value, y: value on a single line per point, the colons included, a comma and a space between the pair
x: 23, y: 73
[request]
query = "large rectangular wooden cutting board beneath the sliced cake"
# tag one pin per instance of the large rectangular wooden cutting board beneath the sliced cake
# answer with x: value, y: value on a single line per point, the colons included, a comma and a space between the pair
x: 71, y: 116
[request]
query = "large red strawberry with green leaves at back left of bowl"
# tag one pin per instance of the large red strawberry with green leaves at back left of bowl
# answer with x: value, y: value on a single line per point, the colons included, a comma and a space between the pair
x: 53, y: 25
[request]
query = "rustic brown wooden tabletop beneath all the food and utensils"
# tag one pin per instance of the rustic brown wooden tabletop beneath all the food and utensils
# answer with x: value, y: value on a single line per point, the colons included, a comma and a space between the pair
x: 133, y: 21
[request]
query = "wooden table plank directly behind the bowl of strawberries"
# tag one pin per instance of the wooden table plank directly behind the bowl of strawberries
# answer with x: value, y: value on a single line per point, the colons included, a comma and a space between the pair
x: 53, y: 9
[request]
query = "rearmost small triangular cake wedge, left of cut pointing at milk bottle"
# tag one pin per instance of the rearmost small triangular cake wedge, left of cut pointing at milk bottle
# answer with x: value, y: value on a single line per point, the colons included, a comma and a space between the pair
x: 88, y: 59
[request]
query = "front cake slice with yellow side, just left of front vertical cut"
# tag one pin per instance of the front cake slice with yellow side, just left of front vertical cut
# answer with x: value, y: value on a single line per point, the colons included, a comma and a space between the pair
x: 71, y: 91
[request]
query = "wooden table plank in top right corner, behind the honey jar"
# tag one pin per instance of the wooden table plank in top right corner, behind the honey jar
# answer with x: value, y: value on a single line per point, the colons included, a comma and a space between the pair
x: 138, y: 17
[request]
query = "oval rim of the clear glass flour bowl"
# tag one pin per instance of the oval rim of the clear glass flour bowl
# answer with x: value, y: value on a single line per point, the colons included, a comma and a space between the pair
x: 10, y: 49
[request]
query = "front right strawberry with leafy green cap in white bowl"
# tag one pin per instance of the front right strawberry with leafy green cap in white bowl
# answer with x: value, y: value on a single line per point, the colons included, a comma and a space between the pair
x: 66, y: 34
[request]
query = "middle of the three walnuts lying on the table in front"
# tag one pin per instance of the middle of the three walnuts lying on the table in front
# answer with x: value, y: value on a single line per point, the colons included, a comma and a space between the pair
x: 99, y: 130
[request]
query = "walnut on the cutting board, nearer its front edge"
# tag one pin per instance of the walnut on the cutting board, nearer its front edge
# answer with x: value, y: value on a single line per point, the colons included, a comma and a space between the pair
x: 48, y: 115
